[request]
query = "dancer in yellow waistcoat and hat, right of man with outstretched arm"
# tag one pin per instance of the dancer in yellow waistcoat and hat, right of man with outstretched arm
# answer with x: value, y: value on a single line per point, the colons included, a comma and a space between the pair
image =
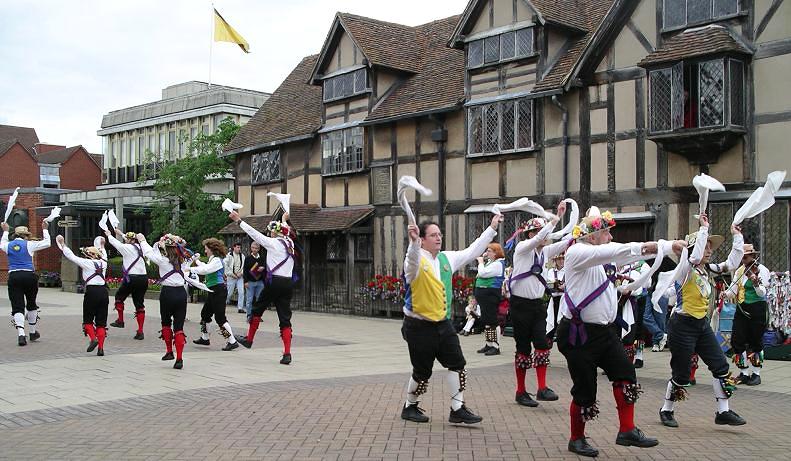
x: 689, y: 328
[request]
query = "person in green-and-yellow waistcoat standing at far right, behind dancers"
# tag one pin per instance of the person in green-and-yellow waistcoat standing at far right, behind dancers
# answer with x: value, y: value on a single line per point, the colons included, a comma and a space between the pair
x: 750, y: 321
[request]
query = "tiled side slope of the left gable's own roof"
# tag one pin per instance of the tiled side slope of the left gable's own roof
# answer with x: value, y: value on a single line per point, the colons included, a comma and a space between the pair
x: 384, y: 43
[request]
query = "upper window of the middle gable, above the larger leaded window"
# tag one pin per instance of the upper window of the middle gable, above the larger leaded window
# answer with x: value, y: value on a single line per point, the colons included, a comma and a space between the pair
x: 507, y: 46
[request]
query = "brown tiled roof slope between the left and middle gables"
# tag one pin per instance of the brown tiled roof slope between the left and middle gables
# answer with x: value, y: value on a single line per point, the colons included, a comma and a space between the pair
x: 439, y: 82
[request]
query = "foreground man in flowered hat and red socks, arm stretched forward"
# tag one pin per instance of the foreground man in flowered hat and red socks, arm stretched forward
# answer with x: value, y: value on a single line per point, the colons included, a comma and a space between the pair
x: 588, y: 336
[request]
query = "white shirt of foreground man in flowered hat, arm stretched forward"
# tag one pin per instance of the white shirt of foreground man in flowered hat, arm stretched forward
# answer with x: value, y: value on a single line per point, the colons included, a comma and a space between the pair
x: 585, y: 273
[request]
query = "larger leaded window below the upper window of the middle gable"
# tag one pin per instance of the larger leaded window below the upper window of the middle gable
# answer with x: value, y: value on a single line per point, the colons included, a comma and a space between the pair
x: 504, y: 126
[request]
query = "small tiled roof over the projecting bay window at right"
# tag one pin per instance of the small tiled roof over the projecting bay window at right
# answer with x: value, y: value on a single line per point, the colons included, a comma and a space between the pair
x: 696, y: 42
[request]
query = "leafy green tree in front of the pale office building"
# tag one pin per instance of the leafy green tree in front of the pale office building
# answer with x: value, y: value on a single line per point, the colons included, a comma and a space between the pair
x: 181, y: 205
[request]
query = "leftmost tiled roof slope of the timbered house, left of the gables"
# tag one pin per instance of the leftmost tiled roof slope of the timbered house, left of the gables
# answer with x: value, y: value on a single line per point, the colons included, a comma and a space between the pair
x: 293, y: 110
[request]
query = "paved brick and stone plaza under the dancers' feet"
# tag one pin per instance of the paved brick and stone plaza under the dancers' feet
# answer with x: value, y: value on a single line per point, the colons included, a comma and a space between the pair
x: 339, y: 399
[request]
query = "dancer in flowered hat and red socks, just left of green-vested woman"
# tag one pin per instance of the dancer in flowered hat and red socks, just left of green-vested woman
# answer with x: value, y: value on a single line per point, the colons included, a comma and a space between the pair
x: 169, y: 253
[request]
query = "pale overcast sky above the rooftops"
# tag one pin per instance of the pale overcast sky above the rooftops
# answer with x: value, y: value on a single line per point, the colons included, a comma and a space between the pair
x: 64, y: 64
